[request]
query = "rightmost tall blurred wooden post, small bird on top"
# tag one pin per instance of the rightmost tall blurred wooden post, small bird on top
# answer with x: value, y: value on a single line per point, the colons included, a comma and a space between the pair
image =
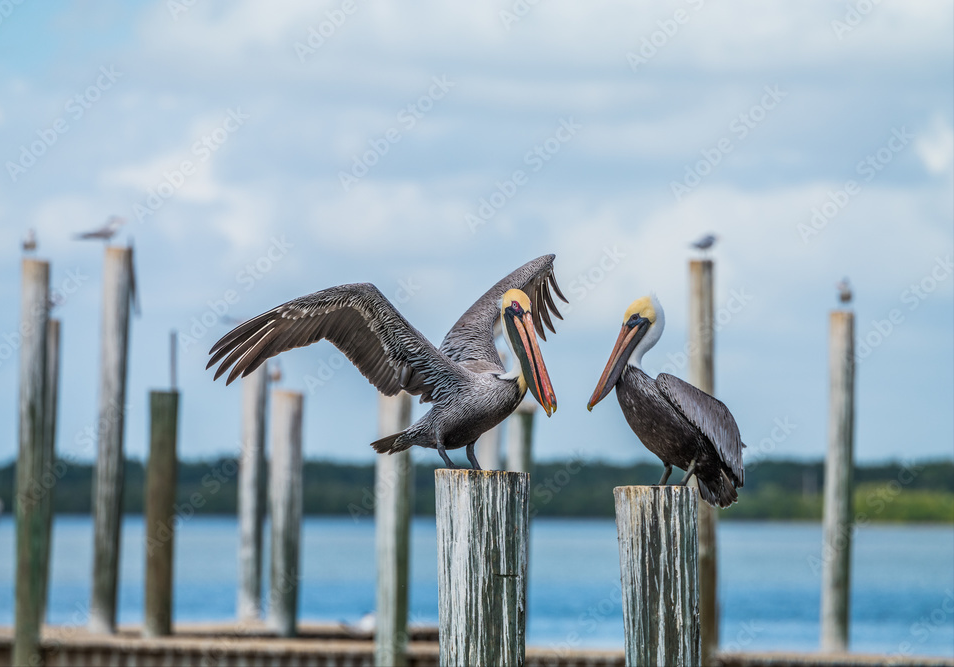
x: 837, y: 522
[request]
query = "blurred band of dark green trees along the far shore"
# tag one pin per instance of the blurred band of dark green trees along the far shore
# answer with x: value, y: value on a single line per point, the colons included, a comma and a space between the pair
x: 780, y: 490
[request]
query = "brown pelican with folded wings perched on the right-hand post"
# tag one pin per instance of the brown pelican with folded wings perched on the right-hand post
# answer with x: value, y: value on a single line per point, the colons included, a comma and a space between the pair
x: 682, y: 425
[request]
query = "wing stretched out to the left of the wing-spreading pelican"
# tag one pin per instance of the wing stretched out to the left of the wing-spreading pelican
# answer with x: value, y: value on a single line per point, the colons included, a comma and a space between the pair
x: 360, y: 322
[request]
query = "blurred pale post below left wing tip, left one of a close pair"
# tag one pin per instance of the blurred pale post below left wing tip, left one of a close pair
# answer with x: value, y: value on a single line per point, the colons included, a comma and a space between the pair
x: 251, y: 494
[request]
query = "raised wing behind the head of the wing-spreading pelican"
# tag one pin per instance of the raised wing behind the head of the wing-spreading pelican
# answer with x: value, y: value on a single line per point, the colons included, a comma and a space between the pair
x: 472, y: 337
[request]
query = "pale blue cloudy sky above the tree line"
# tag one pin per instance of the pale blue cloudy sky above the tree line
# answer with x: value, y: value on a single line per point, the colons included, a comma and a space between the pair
x: 268, y: 150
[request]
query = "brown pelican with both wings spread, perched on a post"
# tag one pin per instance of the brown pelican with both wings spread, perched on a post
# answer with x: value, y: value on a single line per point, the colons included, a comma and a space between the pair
x: 465, y: 379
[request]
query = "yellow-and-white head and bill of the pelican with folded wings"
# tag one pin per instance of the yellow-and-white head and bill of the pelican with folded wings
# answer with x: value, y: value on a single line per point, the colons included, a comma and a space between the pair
x: 643, y: 324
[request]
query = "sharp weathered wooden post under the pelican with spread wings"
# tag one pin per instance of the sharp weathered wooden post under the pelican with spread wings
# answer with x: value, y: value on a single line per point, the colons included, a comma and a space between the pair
x: 482, y: 537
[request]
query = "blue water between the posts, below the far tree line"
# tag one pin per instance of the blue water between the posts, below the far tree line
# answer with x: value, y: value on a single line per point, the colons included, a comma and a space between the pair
x: 902, y: 596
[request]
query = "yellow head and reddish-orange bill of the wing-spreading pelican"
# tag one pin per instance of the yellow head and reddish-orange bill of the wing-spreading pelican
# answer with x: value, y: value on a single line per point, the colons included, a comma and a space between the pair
x: 529, y: 369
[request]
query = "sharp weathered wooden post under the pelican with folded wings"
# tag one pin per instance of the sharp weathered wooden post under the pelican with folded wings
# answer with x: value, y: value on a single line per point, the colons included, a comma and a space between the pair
x: 658, y: 551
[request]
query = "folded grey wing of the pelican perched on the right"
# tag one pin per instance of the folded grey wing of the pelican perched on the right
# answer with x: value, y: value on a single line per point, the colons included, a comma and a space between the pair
x: 710, y: 416
